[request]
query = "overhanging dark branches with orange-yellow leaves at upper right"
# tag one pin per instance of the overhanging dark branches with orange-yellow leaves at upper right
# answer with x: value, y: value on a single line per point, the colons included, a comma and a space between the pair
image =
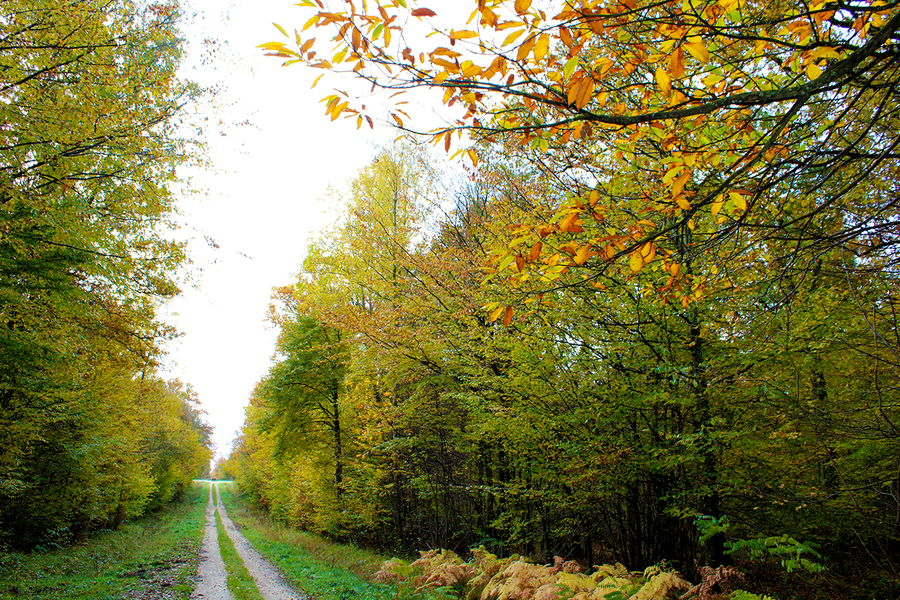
x: 740, y: 128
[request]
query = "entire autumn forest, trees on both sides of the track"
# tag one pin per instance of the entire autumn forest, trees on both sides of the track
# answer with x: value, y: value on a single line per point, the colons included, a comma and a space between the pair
x: 633, y: 302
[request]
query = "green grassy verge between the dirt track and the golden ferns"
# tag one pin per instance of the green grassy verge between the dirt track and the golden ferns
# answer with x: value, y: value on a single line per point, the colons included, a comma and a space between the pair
x: 323, y: 569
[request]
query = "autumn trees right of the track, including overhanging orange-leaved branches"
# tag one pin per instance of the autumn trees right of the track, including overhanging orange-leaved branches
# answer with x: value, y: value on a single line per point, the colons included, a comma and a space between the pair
x: 656, y: 322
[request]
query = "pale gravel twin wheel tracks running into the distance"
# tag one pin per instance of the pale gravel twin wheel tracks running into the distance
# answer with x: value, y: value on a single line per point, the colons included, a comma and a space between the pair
x: 212, y: 576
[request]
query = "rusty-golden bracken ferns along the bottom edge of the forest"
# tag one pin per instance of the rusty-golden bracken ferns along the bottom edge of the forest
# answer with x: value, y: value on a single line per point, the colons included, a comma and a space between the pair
x: 486, y: 577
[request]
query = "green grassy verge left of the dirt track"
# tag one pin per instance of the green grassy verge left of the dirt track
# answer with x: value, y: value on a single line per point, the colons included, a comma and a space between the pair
x: 152, y: 557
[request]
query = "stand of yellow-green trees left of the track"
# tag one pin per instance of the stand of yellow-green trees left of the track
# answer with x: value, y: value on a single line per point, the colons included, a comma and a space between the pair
x: 90, y: 103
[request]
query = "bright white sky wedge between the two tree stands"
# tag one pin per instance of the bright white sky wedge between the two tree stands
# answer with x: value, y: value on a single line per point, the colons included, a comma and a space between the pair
x: 261, y: 203
